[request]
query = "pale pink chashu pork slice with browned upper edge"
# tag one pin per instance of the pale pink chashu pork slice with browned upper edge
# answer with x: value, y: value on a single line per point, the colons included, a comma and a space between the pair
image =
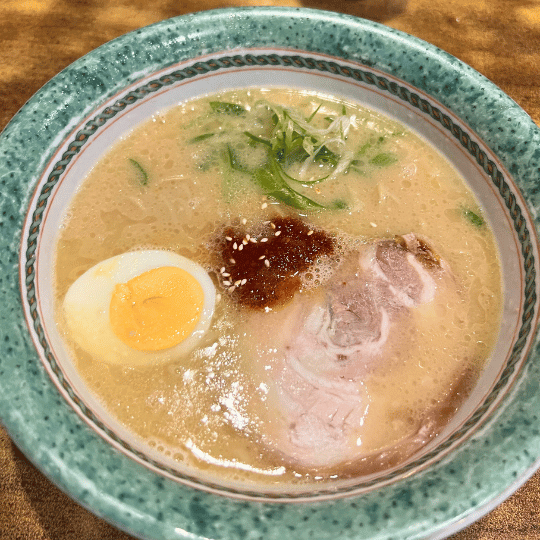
x: 316, y: 352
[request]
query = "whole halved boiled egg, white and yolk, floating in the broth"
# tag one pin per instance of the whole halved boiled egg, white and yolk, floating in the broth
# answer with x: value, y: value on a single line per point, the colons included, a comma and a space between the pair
x: 140, y: 307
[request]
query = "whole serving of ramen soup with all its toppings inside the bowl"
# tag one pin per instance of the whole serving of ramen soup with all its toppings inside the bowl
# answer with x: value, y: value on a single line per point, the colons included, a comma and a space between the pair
x: 278, y: 286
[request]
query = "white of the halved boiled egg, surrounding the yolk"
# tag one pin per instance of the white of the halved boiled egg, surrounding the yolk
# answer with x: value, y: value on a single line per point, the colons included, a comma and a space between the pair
x: 86, y: 307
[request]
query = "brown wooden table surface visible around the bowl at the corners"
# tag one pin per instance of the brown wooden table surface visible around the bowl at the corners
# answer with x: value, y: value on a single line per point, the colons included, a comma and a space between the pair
x: 499, y: 38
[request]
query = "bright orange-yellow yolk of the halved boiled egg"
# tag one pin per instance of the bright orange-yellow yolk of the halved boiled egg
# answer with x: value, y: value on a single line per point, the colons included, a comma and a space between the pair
x: 157, y: 309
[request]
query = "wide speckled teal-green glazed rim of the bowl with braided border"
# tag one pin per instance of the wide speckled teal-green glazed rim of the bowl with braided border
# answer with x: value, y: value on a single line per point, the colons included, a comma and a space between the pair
x: 434, y: 501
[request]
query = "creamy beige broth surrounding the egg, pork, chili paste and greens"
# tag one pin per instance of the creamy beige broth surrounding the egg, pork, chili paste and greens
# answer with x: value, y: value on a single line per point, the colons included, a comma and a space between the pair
x: 214, y: 409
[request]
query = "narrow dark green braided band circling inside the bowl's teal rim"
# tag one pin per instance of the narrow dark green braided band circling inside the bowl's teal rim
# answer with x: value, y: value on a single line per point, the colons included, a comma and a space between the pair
x: 84, y: 136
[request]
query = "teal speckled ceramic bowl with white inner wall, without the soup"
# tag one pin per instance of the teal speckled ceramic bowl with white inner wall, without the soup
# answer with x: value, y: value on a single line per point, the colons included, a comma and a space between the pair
x: 493, y: 444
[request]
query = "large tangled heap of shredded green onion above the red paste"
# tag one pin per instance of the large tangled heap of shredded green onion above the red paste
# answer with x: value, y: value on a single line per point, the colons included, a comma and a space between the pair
x: 293, y: 149
